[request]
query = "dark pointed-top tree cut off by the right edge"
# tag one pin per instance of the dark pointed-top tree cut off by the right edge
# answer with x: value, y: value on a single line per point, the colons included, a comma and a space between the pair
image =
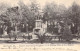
x: 75, y: 13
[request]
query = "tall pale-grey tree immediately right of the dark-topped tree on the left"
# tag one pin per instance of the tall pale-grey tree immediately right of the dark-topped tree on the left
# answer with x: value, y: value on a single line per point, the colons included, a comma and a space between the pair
x: 24, y: 12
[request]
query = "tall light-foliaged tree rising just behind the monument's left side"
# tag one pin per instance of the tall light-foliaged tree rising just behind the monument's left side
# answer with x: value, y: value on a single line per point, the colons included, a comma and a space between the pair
x: 34, y: 13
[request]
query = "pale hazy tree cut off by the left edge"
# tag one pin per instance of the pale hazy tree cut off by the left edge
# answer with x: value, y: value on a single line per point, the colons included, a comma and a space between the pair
x: 3, y: 9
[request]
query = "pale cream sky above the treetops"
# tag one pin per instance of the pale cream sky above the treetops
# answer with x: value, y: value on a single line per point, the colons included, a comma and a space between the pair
x: 42, y: 3
